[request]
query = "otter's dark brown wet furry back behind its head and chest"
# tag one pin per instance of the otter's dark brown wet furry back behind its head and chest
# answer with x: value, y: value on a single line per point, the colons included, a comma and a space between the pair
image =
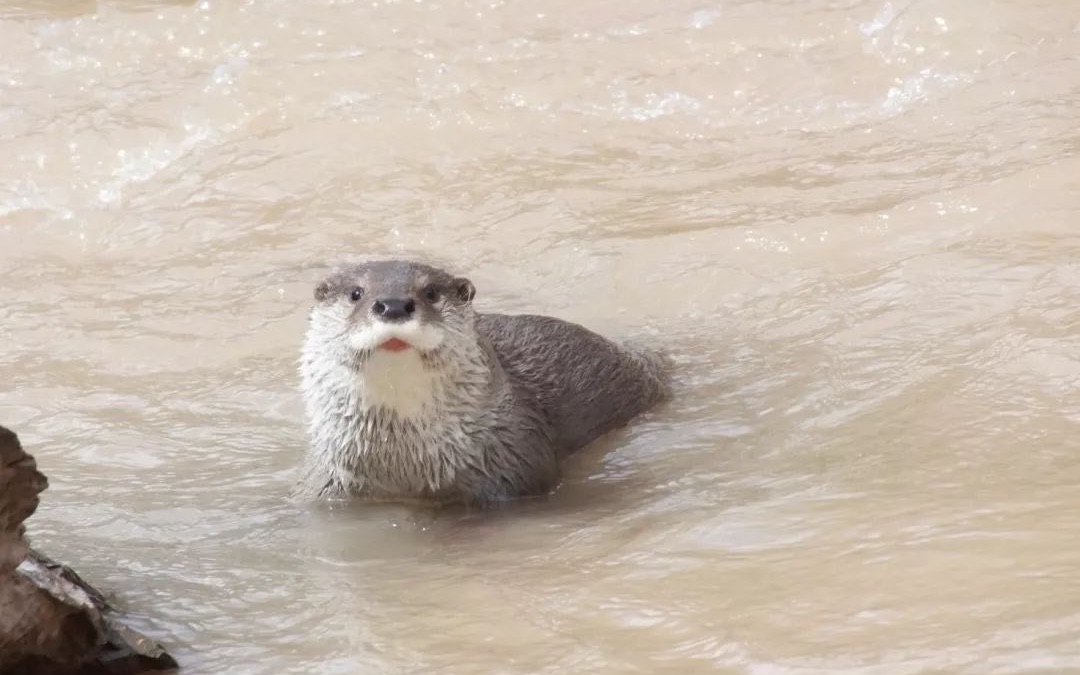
x: 587, y: 384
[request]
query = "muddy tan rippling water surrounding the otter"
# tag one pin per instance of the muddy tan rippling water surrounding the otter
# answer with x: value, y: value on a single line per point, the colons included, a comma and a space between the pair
x: 855, y: 225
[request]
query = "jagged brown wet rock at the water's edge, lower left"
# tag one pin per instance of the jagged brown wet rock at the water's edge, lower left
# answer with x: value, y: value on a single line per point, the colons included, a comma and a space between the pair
x: 52, y: 622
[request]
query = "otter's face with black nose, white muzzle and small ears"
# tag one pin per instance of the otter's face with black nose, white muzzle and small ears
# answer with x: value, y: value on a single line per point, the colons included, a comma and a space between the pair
x: 394, y: 306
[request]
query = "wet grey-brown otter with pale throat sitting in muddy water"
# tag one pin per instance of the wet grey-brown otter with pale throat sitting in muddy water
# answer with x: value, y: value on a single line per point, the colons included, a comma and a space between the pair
x: 411, y: 395
